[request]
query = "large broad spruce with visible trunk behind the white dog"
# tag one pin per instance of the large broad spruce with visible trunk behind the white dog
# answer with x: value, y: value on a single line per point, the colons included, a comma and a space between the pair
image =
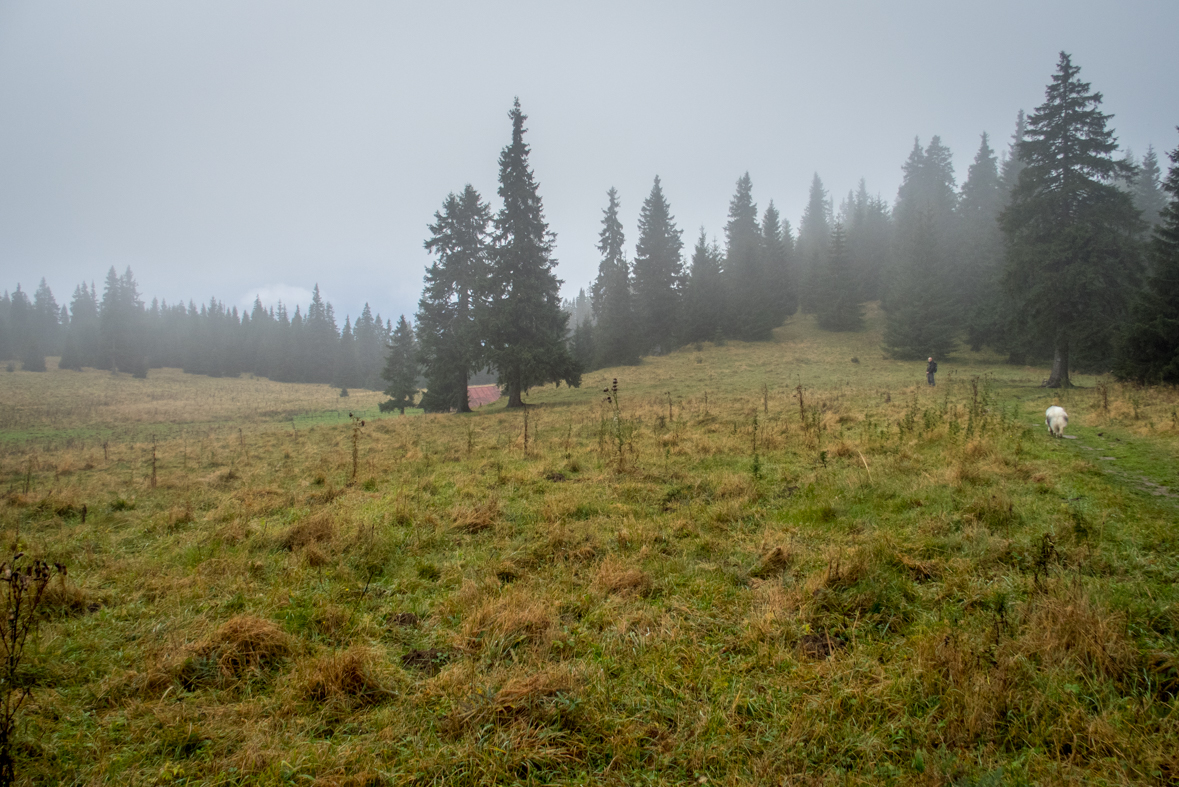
x: 1072, y: 257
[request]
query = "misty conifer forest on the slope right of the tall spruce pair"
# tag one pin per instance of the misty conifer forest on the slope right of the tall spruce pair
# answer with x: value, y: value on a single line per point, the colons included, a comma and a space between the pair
x: 1055, y: 250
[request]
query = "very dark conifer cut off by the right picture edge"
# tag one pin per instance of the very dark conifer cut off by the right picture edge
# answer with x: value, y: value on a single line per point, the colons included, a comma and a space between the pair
x: 1149, y: 352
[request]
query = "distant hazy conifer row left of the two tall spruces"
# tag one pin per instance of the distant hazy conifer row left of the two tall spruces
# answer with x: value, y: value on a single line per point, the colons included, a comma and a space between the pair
x: 121, y: 333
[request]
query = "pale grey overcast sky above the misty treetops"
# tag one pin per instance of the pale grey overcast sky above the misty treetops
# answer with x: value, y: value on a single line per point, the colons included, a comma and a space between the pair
x: 233, y: 149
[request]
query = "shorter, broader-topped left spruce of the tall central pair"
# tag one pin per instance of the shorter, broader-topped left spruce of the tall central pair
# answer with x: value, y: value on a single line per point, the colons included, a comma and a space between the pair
x: 447, y: 330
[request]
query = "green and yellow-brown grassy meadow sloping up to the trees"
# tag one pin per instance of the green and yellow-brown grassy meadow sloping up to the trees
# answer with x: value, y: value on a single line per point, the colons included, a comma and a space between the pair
x: 779, y: 564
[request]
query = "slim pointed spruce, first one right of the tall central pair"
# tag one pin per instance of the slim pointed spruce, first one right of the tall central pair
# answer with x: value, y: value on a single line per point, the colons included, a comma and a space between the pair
x: 616, y: 332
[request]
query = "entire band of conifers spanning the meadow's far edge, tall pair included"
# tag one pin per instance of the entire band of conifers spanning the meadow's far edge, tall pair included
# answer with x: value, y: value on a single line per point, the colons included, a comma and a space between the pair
x: 1057, y: 249
